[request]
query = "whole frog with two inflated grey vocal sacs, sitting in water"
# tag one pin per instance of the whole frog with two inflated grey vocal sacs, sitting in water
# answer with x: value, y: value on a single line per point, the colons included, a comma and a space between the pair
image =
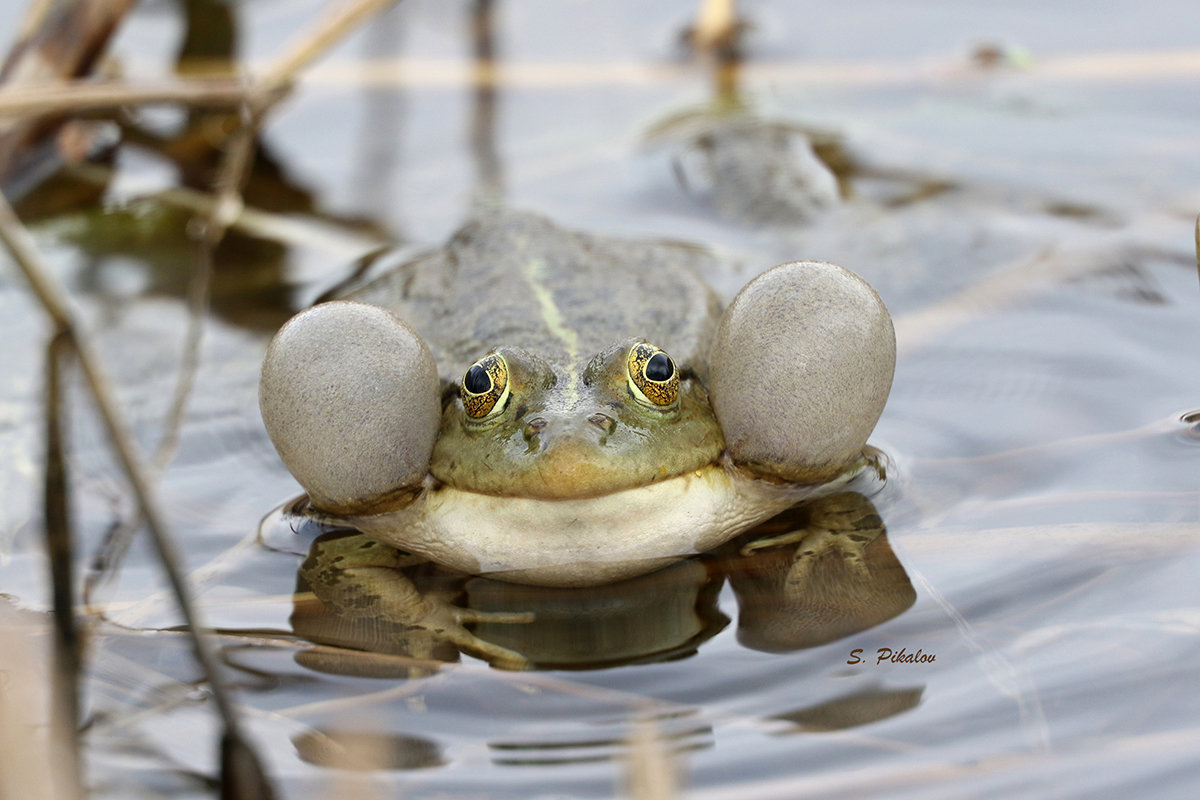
x: 553, y: 408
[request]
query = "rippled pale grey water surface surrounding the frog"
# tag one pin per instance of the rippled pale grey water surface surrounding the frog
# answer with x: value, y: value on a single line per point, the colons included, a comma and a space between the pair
x: 1043, y: 500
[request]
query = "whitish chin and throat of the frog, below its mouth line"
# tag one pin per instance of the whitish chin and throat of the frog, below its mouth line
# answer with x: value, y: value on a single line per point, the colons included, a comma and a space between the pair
x: 585, y: 542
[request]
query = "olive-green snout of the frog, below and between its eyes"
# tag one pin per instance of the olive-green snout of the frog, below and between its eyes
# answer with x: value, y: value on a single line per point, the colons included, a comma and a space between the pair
x: 596, y: 441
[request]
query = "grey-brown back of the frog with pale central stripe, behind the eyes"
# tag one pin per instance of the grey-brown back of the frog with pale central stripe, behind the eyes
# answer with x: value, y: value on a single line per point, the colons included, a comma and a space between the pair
x: 515, y: 279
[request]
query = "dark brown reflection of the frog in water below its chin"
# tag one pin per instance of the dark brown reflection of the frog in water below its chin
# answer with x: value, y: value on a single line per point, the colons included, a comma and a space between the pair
x: 819, y: 573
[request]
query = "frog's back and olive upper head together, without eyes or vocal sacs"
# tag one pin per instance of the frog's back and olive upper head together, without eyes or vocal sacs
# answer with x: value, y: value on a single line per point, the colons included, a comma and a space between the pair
x: 565, y: 340
